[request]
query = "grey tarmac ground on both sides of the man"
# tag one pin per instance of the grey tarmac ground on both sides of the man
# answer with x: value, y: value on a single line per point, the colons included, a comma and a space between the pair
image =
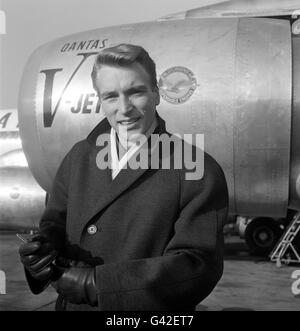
x: 248, y: 283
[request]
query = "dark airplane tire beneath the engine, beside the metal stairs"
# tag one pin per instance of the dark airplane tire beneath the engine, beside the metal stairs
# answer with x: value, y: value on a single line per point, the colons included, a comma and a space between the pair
x: 261, y: 235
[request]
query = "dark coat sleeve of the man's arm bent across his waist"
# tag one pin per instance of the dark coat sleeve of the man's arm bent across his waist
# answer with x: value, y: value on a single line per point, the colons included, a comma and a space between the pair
x: 192, y: 262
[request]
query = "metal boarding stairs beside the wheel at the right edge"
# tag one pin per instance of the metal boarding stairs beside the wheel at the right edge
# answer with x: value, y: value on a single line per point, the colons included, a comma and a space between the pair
x: 285, y: 251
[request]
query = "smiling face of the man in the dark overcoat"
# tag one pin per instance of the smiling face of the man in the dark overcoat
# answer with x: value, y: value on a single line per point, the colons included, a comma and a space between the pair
x: 128, y: 99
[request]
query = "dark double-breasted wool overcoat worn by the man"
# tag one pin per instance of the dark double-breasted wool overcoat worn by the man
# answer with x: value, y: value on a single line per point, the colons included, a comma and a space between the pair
x: 154, y: 237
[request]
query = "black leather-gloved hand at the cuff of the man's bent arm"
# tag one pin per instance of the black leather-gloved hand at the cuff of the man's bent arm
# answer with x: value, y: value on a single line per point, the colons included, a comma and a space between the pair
x: 76, y: 284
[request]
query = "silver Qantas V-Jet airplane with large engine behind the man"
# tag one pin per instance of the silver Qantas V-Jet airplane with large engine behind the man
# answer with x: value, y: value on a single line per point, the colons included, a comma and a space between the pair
x: 230, y: 70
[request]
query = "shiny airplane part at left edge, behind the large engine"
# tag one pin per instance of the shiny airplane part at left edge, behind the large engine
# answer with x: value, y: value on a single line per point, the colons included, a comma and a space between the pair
x: 22, y: 199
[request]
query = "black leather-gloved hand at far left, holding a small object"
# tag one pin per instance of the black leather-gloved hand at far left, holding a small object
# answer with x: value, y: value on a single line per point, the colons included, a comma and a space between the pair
x: 37, y: 257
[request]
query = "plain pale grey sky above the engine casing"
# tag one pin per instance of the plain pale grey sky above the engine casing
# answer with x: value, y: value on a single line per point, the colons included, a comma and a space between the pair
x: 31, y: 23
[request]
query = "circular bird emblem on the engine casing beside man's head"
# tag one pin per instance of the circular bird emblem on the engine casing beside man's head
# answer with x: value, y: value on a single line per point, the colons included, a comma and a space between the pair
x: 177, y: 84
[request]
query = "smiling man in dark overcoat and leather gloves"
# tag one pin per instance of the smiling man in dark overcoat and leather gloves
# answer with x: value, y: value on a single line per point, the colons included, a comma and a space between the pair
x: 117, y: 238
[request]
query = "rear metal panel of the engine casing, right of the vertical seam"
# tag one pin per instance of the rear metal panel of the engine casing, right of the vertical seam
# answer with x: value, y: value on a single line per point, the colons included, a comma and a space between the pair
x: 262, y: 128
